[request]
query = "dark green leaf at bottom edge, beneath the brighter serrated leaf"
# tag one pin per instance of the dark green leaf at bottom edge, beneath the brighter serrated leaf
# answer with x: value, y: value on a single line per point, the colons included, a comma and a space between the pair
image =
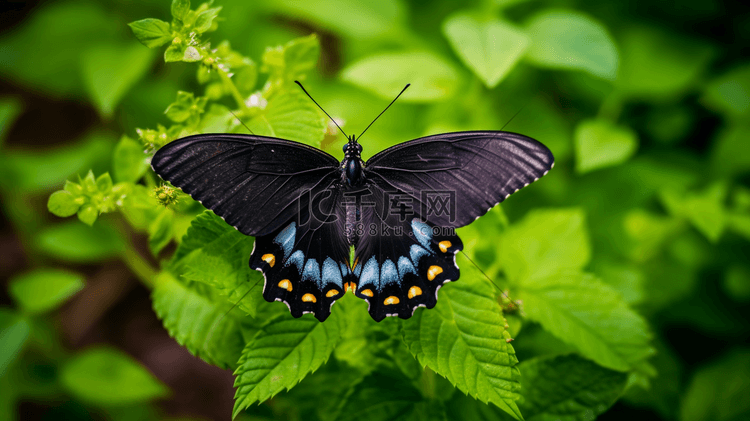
x: 568, y: 388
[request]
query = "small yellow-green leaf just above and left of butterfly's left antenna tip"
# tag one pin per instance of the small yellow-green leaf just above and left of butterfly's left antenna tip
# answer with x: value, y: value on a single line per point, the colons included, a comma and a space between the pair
x: 291, y: 61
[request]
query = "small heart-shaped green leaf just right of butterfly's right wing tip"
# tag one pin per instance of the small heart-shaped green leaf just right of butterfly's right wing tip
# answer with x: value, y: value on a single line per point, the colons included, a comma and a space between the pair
x: 600, y: 144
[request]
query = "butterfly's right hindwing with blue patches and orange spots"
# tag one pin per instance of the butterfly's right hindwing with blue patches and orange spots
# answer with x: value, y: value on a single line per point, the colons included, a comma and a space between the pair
x: 401, y: 262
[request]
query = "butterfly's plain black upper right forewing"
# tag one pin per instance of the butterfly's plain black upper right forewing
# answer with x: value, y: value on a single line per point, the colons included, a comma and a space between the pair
x: 476, y: 170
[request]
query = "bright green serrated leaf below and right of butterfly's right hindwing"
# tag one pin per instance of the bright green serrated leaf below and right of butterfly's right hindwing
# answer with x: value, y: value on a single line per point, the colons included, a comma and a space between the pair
x: 589, y: 315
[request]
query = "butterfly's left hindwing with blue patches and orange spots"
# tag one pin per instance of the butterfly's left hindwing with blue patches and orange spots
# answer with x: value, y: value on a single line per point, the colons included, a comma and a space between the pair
x: 306, y: 265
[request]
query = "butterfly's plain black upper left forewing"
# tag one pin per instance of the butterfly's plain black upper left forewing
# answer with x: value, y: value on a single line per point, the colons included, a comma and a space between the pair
x: 253, y: 182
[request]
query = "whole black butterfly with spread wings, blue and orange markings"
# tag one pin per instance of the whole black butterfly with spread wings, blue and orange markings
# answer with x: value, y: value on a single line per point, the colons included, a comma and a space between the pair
x: 399, y: 210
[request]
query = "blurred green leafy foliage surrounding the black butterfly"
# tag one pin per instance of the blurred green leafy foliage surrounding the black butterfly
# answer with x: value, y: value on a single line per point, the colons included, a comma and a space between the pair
x: 624, y: 270
